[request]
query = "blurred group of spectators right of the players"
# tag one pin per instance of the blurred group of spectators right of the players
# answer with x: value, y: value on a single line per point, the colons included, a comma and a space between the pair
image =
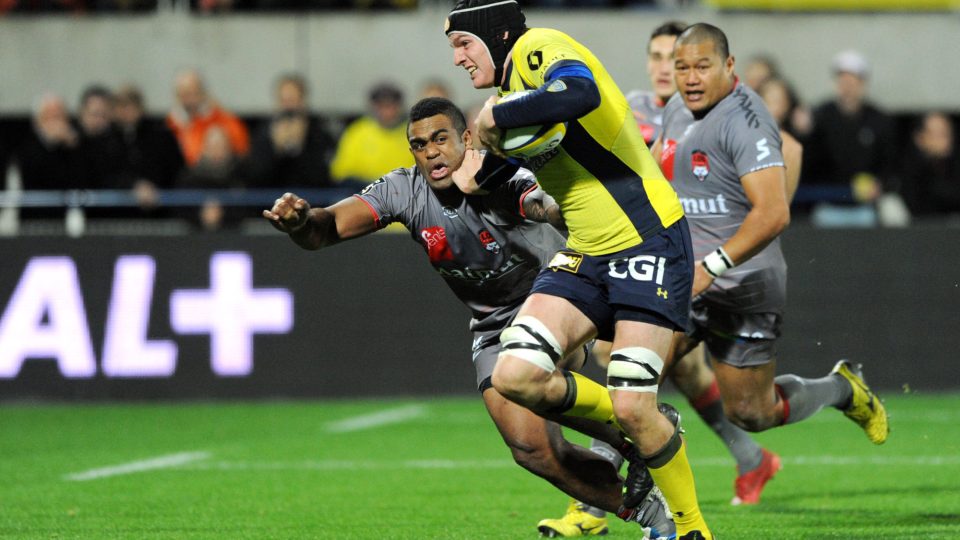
x: 877, y: 169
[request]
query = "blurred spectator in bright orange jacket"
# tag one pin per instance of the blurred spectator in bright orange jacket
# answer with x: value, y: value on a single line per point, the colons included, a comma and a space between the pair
x: 196, y: 112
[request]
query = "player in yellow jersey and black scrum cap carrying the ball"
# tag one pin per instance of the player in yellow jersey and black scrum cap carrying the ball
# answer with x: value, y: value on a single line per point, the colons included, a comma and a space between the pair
x: 626, y: 275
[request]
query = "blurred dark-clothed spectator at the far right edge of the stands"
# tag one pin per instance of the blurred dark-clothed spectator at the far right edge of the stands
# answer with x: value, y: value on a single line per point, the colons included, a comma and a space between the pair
x: 931, y: 172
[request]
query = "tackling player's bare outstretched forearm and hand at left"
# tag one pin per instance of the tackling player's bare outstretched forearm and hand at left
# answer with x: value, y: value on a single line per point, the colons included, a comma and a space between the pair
x: 315, y: 228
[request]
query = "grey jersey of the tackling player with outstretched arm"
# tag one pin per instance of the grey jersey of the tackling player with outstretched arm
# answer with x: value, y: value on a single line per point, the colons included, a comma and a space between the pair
x: 481, y: 245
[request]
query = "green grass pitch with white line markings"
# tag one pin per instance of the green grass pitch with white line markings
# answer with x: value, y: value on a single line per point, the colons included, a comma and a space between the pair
x: 431, y: 469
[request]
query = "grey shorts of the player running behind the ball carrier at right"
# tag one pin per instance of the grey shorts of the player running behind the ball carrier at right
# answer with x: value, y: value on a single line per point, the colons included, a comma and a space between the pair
x: 736, y: 339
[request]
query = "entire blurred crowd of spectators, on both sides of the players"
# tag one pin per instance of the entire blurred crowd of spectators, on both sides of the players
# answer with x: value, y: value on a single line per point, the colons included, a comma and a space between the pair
x: 861, y: 166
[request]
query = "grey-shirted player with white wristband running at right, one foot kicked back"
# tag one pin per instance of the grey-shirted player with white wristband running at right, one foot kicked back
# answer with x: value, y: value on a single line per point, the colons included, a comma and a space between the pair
x: 726, y: 164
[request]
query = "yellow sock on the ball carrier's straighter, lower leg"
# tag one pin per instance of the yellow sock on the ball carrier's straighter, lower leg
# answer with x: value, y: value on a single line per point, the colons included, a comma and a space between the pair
x: 675, y: 480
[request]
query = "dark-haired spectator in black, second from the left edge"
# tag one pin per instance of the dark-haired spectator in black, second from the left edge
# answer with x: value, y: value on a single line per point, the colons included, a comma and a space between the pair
x: 100, y: 148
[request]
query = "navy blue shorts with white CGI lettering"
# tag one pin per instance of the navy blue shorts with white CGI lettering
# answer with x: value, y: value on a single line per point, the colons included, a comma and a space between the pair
x: 650, y: 282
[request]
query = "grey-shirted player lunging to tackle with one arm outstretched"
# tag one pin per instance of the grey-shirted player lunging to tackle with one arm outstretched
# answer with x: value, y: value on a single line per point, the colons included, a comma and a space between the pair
x: 488, y: 249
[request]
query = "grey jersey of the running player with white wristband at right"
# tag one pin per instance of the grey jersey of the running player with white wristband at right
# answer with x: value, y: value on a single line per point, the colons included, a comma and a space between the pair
x: 705, y: 160
